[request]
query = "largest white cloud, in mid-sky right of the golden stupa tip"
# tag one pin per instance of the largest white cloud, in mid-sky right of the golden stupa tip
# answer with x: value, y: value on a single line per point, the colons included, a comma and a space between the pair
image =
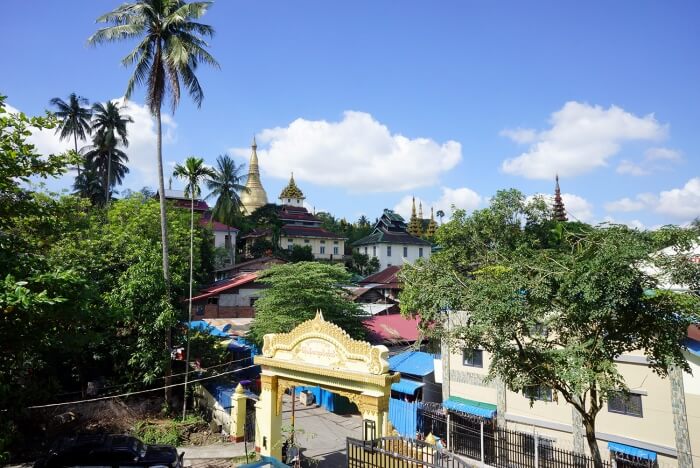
x: 357, y: 153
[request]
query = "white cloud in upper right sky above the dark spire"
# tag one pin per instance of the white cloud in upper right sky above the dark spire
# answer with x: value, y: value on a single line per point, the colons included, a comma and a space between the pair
x: 582, y: 138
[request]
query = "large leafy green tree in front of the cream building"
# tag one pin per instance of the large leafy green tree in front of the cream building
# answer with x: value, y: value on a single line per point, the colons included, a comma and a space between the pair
x: 554, y: 303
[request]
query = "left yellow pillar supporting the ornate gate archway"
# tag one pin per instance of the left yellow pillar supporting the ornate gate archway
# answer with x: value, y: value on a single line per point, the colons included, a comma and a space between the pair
x: 268, y: 419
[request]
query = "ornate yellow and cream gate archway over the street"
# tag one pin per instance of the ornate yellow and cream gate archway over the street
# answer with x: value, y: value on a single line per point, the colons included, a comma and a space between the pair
x: 319, y: 353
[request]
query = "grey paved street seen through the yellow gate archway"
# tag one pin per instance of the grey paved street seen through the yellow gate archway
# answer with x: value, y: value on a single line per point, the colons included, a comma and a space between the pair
x: 322, y: 434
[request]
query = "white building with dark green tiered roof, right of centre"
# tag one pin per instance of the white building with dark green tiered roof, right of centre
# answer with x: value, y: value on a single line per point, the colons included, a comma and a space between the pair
x: 391, y: 243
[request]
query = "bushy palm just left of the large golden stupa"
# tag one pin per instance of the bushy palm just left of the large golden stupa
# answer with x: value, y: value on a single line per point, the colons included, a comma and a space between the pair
x: 226, y: 184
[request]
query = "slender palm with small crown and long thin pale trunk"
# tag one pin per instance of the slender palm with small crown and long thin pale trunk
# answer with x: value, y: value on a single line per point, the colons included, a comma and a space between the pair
x: 194, y: 172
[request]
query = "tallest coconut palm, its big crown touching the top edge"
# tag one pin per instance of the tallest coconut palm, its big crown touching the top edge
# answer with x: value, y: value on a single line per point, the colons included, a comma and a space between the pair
x: 170, y: 49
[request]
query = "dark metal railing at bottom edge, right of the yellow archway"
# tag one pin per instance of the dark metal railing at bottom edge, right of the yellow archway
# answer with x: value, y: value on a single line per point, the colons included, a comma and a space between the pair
x: 398, y: 452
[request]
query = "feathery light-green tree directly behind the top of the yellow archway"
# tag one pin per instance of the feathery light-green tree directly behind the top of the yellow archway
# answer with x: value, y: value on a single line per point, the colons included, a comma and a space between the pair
x: 296, y: 291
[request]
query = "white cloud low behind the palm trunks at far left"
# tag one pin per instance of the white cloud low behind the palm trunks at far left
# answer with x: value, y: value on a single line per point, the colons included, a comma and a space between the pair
x: 141, y: 151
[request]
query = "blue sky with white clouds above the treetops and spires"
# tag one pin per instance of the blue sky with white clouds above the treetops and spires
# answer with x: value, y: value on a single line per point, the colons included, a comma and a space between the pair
x: 372, y: 102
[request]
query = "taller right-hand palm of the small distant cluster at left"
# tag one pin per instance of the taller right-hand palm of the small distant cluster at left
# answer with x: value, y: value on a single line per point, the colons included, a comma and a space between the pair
x: 110, y: 125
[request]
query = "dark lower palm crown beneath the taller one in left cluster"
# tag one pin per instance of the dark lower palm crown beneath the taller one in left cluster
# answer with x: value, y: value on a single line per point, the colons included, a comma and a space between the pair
x: 108, y: 160
